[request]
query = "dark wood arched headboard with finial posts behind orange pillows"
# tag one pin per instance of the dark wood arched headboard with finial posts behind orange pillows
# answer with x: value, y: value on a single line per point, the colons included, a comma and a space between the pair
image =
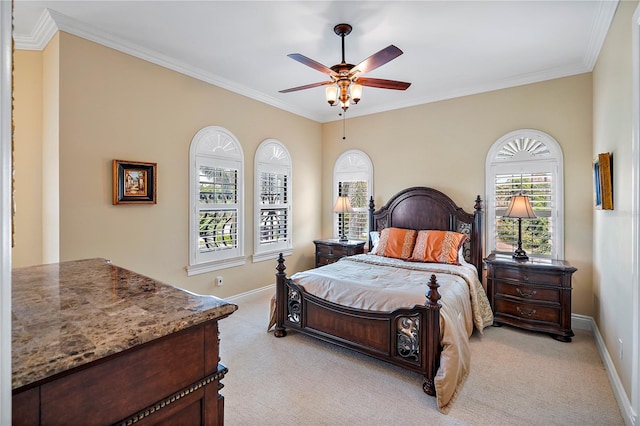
x: 427, y: 208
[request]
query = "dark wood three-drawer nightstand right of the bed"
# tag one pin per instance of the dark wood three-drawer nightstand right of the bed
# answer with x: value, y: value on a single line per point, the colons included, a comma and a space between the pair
x: 533, y: 294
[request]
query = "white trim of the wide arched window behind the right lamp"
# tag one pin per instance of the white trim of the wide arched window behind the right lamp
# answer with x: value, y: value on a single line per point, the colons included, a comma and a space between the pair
x: 521, y: 163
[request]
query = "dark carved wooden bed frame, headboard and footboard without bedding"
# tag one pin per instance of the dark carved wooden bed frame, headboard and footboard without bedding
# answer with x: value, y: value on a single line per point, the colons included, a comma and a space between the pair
x: 374, y: 332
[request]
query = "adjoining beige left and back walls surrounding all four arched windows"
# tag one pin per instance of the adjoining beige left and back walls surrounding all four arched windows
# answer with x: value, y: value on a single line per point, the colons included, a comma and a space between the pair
x: 112, y: 105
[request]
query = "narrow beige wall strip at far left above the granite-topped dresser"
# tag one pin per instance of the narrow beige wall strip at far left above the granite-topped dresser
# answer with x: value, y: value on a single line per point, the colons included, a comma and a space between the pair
x: 28, y: 159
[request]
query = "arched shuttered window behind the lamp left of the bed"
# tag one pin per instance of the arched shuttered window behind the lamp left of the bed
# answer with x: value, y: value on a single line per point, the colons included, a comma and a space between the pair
x: 353, y: 177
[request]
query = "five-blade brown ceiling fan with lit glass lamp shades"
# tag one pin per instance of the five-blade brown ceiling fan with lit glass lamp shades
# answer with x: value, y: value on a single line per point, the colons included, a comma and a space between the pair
x: 346, y: 79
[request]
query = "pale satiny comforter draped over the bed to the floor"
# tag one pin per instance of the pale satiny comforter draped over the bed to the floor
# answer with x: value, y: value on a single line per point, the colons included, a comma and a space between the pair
x: 384, y: 284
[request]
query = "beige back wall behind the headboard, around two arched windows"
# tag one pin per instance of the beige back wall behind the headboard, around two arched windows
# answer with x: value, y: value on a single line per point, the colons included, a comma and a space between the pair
x: 444, y: 145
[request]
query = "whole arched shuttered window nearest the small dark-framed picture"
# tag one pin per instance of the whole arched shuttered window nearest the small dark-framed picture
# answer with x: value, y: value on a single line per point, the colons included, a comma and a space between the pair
x: 216, y: 201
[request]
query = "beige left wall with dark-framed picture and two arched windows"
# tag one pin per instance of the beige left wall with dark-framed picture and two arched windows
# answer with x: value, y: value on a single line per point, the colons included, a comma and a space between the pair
x: 114, y: 106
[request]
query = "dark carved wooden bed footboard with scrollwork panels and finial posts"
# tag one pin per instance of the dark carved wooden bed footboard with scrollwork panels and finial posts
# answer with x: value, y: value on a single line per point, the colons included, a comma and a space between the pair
x: 409, y: 338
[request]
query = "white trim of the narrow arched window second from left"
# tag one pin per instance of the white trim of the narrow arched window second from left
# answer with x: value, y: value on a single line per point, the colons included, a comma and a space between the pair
x: 282, y: 164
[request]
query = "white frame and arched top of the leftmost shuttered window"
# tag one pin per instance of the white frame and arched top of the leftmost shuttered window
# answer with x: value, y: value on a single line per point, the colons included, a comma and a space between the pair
x: 214, y: 145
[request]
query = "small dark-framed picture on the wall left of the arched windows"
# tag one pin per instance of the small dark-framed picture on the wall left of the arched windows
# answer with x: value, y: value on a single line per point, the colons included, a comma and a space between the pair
x: 134, y: 182
